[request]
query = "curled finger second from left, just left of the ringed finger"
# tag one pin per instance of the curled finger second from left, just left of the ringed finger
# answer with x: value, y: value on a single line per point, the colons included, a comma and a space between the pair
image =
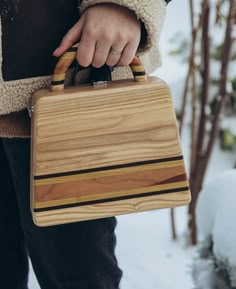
x: 101, y: 53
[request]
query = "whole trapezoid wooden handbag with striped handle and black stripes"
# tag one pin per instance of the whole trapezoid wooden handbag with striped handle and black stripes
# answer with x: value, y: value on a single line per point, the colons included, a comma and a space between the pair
x: 103, y: 151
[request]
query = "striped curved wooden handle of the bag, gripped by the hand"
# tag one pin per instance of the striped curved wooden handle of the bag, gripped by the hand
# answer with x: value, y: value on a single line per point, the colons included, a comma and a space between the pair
x: 63, y: 64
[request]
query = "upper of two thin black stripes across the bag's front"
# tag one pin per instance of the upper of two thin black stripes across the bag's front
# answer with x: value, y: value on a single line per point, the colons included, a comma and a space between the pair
x: 108, y: 168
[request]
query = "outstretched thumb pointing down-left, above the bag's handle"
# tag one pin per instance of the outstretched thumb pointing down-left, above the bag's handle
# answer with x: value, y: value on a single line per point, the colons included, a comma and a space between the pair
x: 72, y: 36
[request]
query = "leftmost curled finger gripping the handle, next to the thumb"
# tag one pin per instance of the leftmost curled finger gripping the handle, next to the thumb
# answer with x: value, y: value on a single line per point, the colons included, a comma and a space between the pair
x: 85, y: 52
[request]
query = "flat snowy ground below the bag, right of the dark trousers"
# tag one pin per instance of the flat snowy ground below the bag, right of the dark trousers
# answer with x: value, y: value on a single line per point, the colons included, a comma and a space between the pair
x: 147, y: 255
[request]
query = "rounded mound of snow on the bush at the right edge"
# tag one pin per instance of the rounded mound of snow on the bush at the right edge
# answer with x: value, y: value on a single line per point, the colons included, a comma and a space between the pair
x: 216, y: 216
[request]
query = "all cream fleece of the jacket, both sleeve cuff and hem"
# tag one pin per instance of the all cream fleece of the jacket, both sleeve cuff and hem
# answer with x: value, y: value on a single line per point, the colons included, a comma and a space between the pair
x: 15, y: 95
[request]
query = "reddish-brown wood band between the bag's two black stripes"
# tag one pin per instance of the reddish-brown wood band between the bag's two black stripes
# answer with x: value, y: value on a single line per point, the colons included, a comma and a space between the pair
x: 88, y: 187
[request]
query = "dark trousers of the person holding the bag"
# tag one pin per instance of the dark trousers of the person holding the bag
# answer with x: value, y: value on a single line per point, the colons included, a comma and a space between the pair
x: 73, y: 256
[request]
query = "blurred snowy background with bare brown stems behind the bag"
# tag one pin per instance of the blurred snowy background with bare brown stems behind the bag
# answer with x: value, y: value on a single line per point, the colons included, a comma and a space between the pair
x: 192, y: 247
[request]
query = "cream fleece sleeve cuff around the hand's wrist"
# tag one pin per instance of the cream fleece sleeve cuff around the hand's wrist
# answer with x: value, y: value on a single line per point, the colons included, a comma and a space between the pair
x: 150, y: 12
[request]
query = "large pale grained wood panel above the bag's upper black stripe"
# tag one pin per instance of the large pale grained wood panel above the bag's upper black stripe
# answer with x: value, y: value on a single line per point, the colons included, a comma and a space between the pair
x: 120, y: 125
